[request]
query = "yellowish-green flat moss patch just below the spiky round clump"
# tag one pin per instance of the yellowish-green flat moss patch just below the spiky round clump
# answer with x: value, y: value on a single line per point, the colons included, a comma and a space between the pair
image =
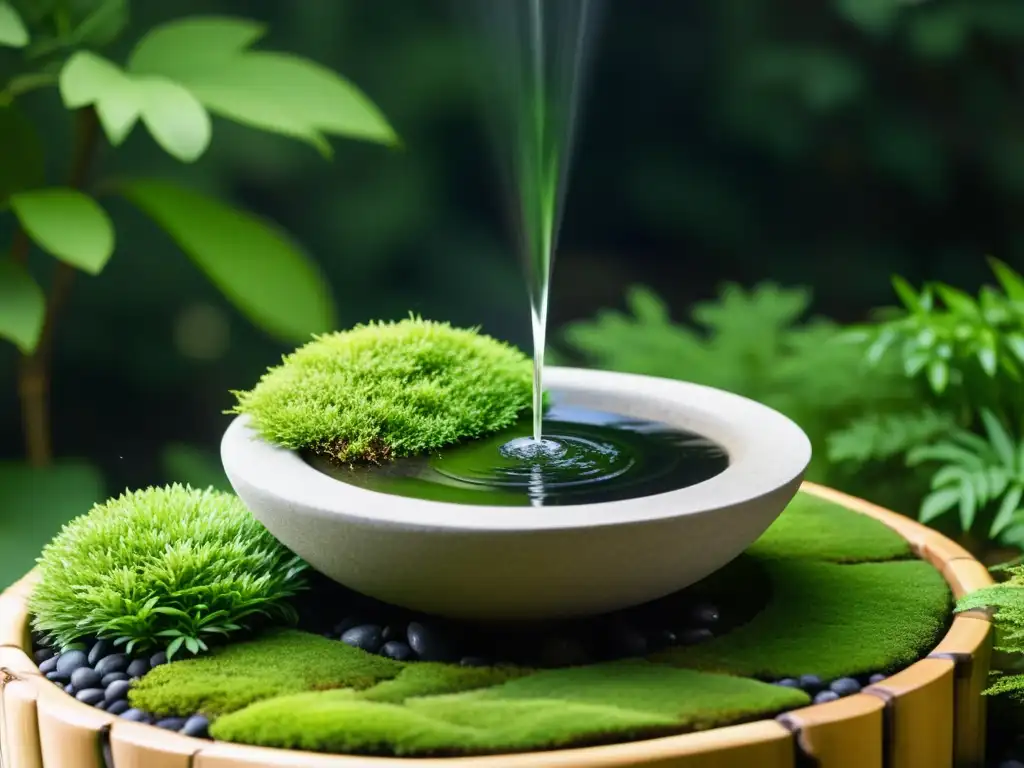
x: 280, y: 663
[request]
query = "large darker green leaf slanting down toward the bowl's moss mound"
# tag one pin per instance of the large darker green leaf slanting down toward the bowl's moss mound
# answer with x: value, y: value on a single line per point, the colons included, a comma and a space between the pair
x: 254, y: 266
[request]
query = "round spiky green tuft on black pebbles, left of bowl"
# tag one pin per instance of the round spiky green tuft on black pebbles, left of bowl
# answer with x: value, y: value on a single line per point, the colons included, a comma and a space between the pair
x: 164, y: 567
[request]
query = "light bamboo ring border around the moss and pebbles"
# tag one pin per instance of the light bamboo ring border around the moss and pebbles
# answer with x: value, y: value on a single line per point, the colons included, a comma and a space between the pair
x: 931, y: 715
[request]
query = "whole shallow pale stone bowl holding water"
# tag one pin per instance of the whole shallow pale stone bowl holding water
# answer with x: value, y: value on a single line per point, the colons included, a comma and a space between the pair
x: 537, y: 563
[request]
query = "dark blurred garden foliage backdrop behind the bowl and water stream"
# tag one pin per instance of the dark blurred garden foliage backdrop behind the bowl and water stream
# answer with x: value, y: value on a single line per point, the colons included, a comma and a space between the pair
x: 798, y: 155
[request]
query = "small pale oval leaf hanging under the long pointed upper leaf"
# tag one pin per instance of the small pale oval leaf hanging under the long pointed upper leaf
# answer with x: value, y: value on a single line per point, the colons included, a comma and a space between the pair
x: 177, y: 120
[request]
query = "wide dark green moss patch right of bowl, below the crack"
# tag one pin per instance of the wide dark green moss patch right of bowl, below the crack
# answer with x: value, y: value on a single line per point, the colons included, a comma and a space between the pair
x: 831, y: 621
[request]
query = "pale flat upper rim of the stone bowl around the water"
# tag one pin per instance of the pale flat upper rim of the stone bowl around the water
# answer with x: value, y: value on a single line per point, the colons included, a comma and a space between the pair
x: 767, y: 452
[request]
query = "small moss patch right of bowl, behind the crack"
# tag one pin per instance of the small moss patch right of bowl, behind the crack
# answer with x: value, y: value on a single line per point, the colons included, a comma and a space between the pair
x: 819, y: 530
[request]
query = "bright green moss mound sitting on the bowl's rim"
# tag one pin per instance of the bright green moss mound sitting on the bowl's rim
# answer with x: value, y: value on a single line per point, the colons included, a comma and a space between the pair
x: 390, y: 390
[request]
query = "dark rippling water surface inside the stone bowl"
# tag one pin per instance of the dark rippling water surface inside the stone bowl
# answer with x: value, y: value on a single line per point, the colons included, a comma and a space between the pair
x: 586, y: 457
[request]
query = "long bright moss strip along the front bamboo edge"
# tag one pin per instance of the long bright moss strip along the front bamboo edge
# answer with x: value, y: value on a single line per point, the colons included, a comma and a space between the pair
x: 562, y: 708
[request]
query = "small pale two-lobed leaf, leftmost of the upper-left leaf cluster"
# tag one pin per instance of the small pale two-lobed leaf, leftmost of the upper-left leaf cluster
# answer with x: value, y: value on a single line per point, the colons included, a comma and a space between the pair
x: 89, y: 79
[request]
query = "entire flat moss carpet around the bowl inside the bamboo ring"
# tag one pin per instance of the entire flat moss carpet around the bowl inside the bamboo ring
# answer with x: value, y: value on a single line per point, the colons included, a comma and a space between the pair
x: 844, y: 600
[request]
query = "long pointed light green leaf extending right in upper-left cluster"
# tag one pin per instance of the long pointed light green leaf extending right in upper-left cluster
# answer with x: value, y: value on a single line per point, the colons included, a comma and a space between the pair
x: 290, y: 96
